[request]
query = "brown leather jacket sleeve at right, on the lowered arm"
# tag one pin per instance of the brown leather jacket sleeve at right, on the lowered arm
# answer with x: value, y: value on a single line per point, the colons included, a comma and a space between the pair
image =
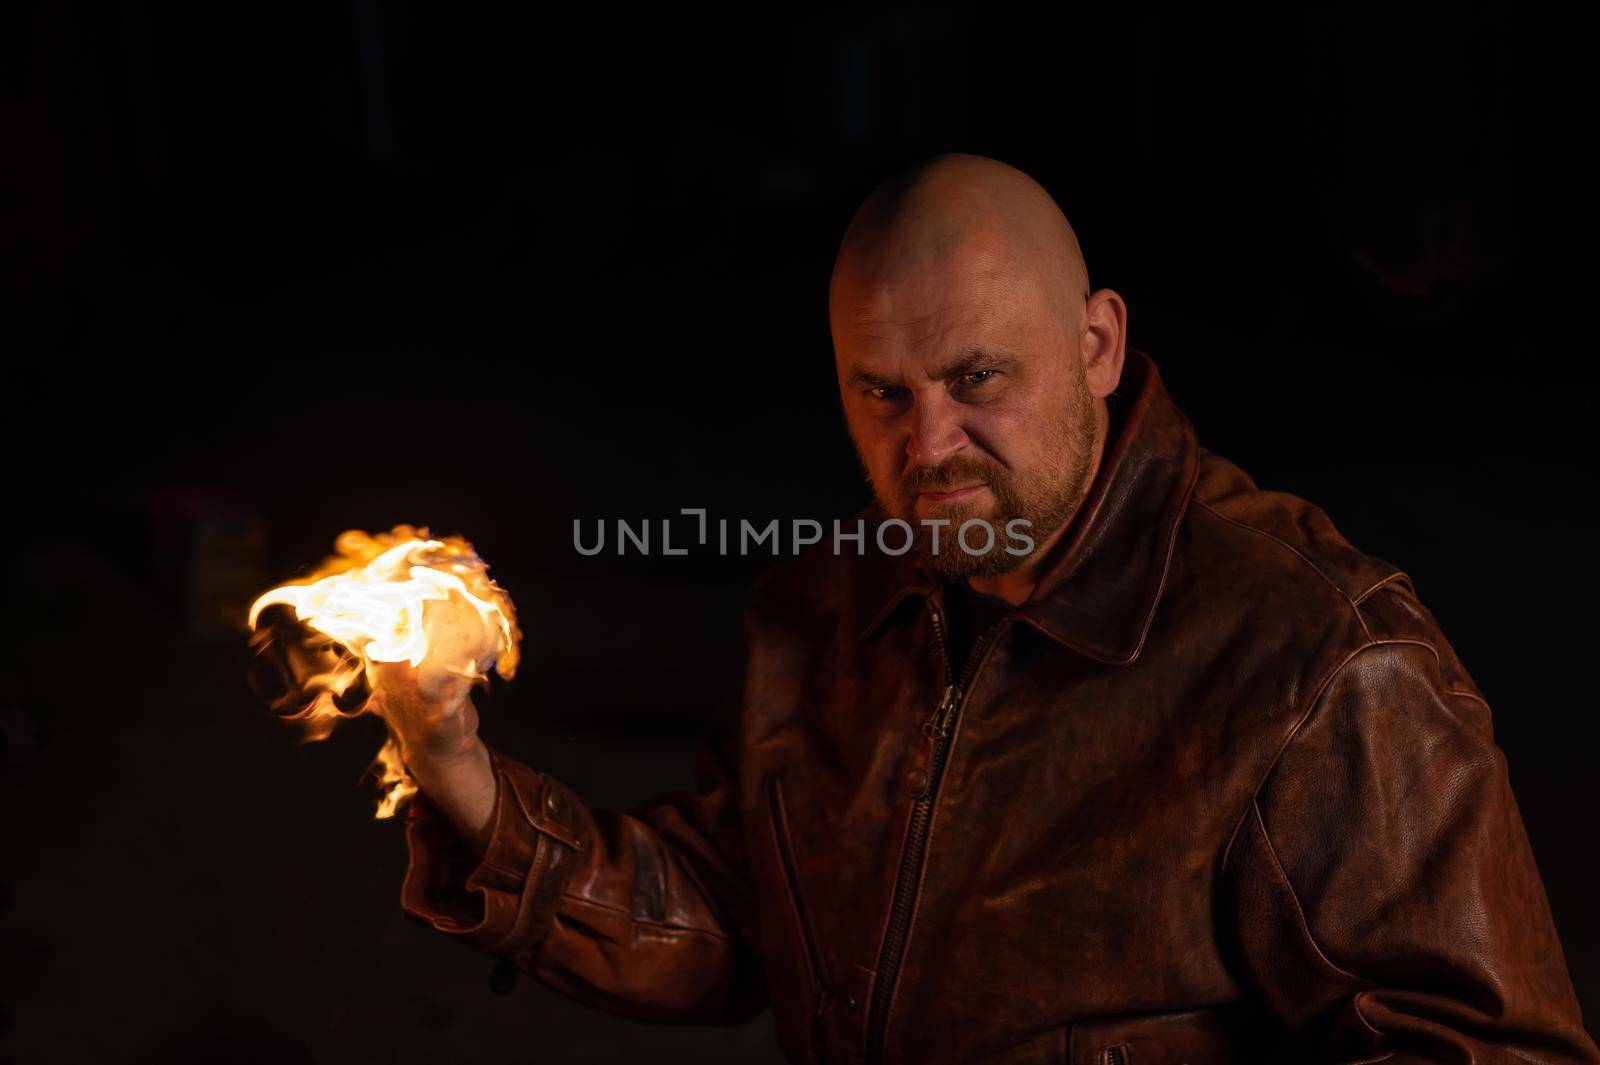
x: 1386, y: 898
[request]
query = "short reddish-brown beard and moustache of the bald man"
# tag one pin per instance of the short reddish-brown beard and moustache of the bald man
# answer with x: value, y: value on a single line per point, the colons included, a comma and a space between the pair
x: 1044, y: 498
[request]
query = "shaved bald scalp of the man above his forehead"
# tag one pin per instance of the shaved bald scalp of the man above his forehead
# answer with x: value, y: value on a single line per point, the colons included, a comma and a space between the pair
x: 950, y: 215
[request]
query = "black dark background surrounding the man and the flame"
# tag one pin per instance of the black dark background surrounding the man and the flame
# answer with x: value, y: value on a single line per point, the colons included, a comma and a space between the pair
x: 281, y: 271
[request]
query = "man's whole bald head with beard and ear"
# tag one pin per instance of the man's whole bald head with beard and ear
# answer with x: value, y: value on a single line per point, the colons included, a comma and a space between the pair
x: 974, y: 362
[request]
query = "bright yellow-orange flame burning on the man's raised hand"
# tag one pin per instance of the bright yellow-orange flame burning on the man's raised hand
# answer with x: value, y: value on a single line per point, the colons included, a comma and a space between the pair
x: 370, y: 604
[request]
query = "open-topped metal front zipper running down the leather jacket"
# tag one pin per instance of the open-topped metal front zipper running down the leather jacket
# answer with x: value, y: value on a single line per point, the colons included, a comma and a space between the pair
x: 938, y: 728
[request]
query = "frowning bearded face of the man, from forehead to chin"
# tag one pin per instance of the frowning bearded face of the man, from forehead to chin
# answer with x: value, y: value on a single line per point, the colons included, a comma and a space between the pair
x: 966, y: 394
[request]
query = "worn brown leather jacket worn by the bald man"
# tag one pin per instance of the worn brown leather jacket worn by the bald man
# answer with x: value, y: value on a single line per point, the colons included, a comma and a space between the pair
x: 1218, y: 792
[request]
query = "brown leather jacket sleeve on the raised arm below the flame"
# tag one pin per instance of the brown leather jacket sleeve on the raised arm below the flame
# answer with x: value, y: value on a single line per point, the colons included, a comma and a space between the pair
x: 641, y: 914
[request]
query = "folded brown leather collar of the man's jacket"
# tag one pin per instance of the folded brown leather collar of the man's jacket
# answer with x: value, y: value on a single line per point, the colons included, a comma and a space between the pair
x: 1100, y: 592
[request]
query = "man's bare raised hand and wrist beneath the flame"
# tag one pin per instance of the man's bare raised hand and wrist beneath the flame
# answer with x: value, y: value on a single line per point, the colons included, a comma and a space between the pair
x: 438, y: 730
